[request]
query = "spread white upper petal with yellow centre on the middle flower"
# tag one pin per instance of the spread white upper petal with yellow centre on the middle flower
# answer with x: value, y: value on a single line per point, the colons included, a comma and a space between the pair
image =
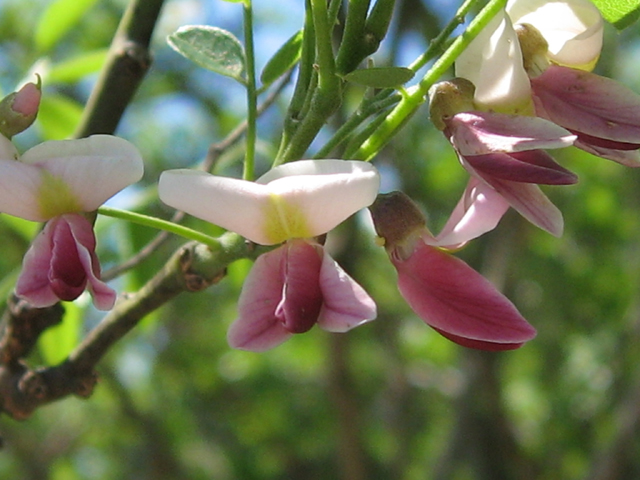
x: 297, y: 206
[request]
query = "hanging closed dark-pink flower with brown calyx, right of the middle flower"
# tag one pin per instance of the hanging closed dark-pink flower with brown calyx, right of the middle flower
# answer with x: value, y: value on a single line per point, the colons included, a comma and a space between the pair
x: 445, y: 292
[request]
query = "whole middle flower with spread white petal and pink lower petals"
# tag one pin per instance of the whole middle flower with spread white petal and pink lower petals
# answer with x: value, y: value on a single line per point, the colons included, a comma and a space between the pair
x: 298, y: 284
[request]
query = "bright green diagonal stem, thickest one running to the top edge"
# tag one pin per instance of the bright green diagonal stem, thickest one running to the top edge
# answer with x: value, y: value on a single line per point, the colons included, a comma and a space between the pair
x: 415, y: 96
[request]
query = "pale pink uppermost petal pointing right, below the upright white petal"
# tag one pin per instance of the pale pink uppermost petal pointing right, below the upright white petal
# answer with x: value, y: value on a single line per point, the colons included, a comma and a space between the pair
x: 480, y: 133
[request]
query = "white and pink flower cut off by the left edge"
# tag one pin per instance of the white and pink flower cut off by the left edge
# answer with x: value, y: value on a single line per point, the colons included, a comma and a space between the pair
x: 55, y: 182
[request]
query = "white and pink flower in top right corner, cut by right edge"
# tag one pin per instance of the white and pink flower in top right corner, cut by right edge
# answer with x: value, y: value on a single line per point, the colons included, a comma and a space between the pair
x: 561, y: 43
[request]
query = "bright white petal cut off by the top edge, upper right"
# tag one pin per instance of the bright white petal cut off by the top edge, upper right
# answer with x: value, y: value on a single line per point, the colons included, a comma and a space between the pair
x: 573, y: 28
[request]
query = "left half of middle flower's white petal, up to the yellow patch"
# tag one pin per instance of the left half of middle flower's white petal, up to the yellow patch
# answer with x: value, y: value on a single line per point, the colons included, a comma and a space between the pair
x: 234, y: 204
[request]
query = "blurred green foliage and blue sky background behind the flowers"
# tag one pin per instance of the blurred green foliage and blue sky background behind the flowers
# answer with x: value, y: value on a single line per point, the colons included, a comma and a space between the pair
x: 389, y: 400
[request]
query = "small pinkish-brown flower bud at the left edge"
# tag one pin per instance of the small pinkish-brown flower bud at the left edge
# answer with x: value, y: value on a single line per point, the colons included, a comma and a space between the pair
x: 18, y: 110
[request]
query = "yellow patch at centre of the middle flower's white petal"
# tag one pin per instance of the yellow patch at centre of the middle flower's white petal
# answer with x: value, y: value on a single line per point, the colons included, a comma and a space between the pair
x: 284, y: 221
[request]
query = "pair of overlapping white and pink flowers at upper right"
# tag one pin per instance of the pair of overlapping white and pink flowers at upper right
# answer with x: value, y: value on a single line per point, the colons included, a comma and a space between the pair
x: 524, y: 85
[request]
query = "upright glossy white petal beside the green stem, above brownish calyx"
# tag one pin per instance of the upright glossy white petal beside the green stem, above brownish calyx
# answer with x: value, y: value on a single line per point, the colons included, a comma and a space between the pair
x: 493, y: 63
